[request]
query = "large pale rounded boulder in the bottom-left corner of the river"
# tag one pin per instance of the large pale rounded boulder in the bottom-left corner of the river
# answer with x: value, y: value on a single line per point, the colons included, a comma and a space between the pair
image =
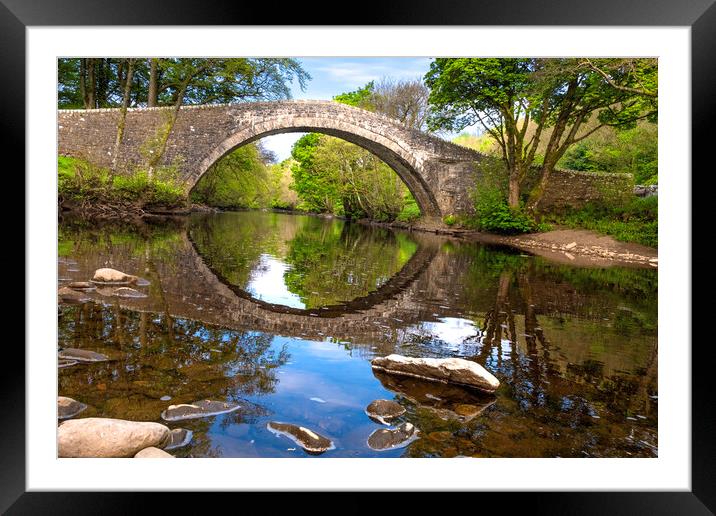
x: 106, y: 437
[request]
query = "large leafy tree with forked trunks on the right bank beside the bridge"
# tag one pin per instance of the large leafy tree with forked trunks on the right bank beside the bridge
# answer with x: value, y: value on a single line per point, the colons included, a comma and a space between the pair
x: 508, y: 95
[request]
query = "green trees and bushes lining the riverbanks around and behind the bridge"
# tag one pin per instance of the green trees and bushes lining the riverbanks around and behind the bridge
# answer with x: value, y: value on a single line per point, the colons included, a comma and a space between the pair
x: 536, y: 115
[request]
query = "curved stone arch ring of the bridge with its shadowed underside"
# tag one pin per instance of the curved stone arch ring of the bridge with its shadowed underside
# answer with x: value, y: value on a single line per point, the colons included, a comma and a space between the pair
x: 403, y: 162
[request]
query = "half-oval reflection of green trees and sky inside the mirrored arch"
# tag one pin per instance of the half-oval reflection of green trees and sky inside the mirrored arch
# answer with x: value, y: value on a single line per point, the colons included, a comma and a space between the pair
x: 295, y: 263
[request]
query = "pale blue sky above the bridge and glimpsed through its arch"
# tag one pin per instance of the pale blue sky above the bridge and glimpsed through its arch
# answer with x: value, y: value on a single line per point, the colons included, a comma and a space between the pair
x: 332, y: 76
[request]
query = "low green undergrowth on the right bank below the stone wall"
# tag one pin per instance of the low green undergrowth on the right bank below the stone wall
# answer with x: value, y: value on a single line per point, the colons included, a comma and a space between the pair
x: 635, y: 221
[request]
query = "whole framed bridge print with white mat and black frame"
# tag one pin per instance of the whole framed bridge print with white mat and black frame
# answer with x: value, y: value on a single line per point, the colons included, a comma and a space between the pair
x: 282, y: 374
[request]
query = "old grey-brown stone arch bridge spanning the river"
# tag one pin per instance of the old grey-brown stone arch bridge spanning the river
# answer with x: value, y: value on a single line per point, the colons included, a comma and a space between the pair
x: 440, y: 174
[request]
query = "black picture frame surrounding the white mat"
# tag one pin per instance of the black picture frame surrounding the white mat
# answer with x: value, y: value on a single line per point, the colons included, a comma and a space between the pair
x: 700, y: 15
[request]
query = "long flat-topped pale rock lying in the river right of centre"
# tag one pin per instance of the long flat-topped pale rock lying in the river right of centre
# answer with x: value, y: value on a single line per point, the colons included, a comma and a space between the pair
x: 446, y: 370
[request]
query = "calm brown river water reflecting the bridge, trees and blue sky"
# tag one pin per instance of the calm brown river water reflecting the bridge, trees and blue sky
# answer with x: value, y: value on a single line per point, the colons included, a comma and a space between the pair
x: 283, y: 313
